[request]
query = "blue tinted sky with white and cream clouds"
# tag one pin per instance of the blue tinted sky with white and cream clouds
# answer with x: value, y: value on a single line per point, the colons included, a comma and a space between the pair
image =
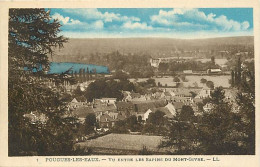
x: 185, y: 23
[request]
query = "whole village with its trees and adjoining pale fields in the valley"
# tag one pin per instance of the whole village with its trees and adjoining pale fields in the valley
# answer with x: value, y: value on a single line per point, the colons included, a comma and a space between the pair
x: 108, y: 105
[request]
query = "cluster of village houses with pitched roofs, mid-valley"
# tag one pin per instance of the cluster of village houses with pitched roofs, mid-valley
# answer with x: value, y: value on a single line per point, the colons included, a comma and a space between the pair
x: 169, y: 101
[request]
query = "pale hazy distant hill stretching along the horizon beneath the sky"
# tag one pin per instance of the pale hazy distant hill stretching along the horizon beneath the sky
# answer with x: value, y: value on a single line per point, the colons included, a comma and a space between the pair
x: 85, y: 47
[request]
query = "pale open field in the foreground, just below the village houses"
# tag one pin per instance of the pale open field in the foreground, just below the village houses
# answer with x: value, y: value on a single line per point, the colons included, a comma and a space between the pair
x: 125, y: 142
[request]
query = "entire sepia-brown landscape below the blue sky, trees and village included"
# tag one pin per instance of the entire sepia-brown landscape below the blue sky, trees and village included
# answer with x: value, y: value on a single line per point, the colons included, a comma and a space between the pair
x: 127, y: 95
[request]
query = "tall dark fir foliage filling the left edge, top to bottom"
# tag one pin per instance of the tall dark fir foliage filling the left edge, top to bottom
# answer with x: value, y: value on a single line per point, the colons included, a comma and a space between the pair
x: 32, y: 37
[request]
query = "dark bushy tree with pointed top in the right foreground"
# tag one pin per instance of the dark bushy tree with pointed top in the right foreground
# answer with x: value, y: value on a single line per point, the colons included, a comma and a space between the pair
x: 218, y: 130
